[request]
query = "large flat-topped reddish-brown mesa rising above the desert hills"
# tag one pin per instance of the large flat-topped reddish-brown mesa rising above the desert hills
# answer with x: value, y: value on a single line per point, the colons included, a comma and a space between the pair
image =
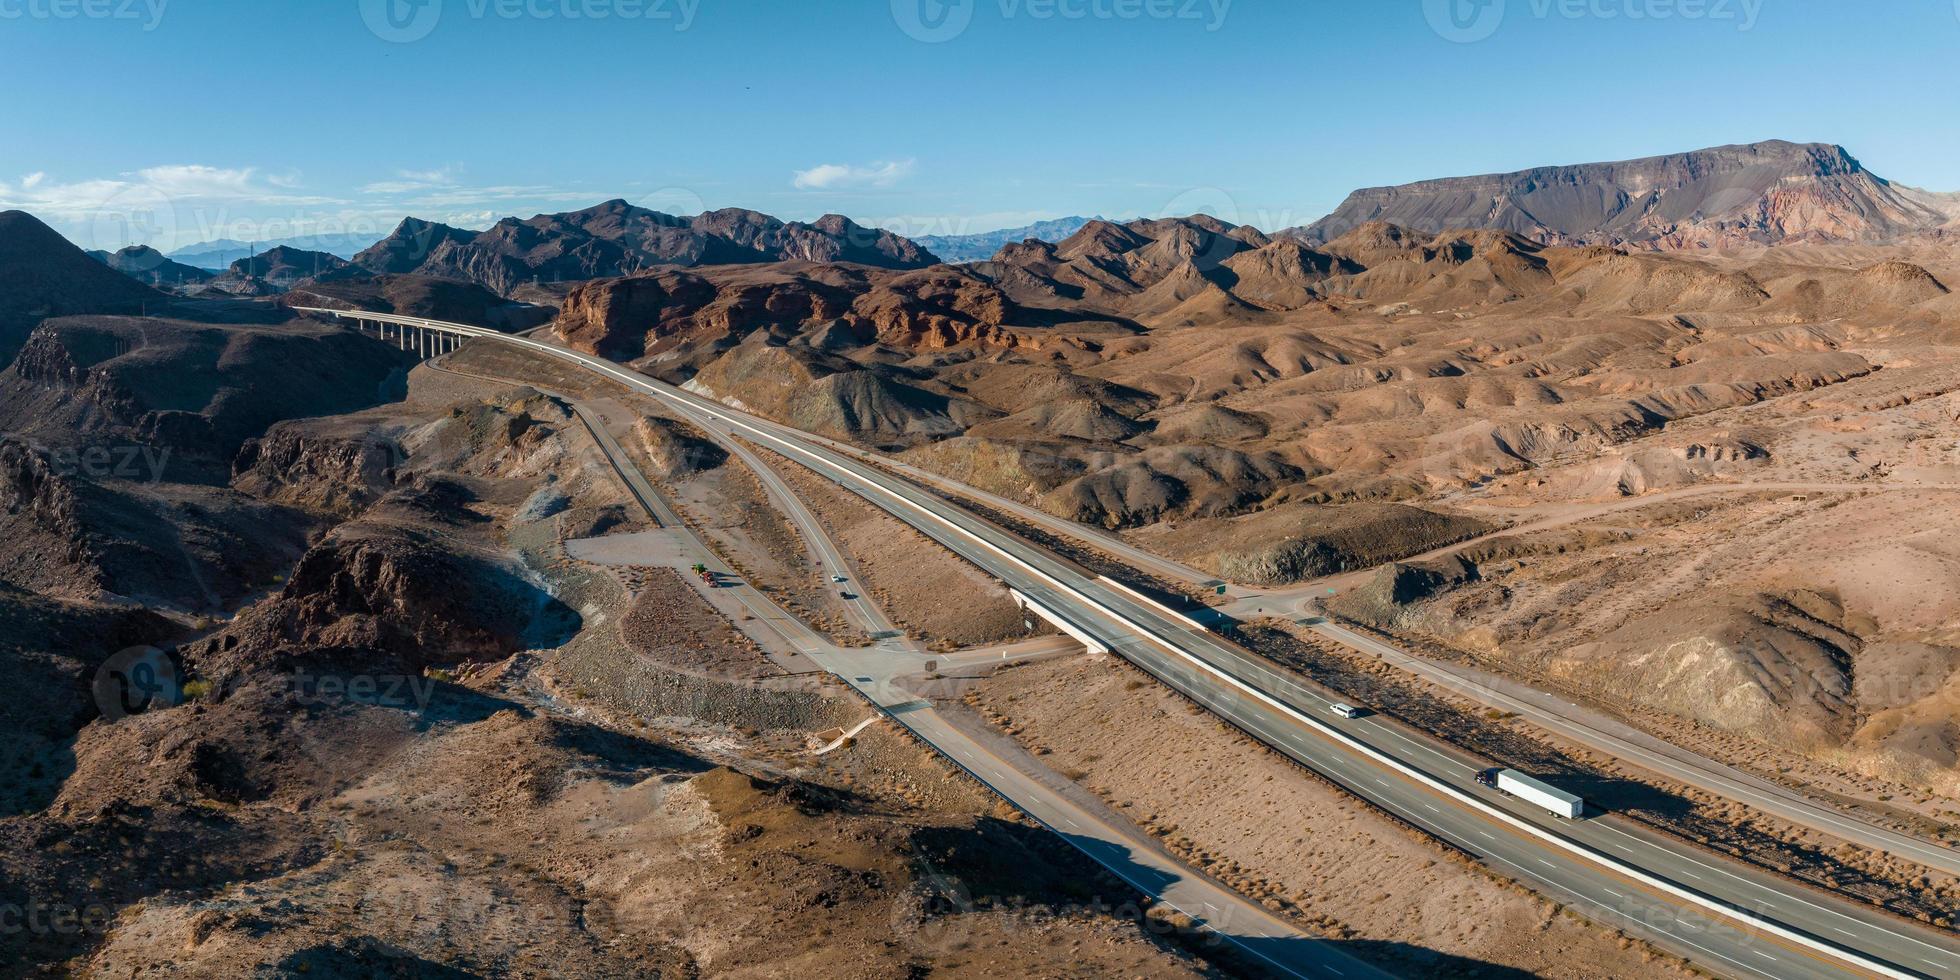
x: 1771, y: 193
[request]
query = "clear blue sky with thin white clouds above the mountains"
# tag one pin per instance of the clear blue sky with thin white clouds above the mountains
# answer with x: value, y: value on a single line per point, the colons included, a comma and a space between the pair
x: 183, y: 121
